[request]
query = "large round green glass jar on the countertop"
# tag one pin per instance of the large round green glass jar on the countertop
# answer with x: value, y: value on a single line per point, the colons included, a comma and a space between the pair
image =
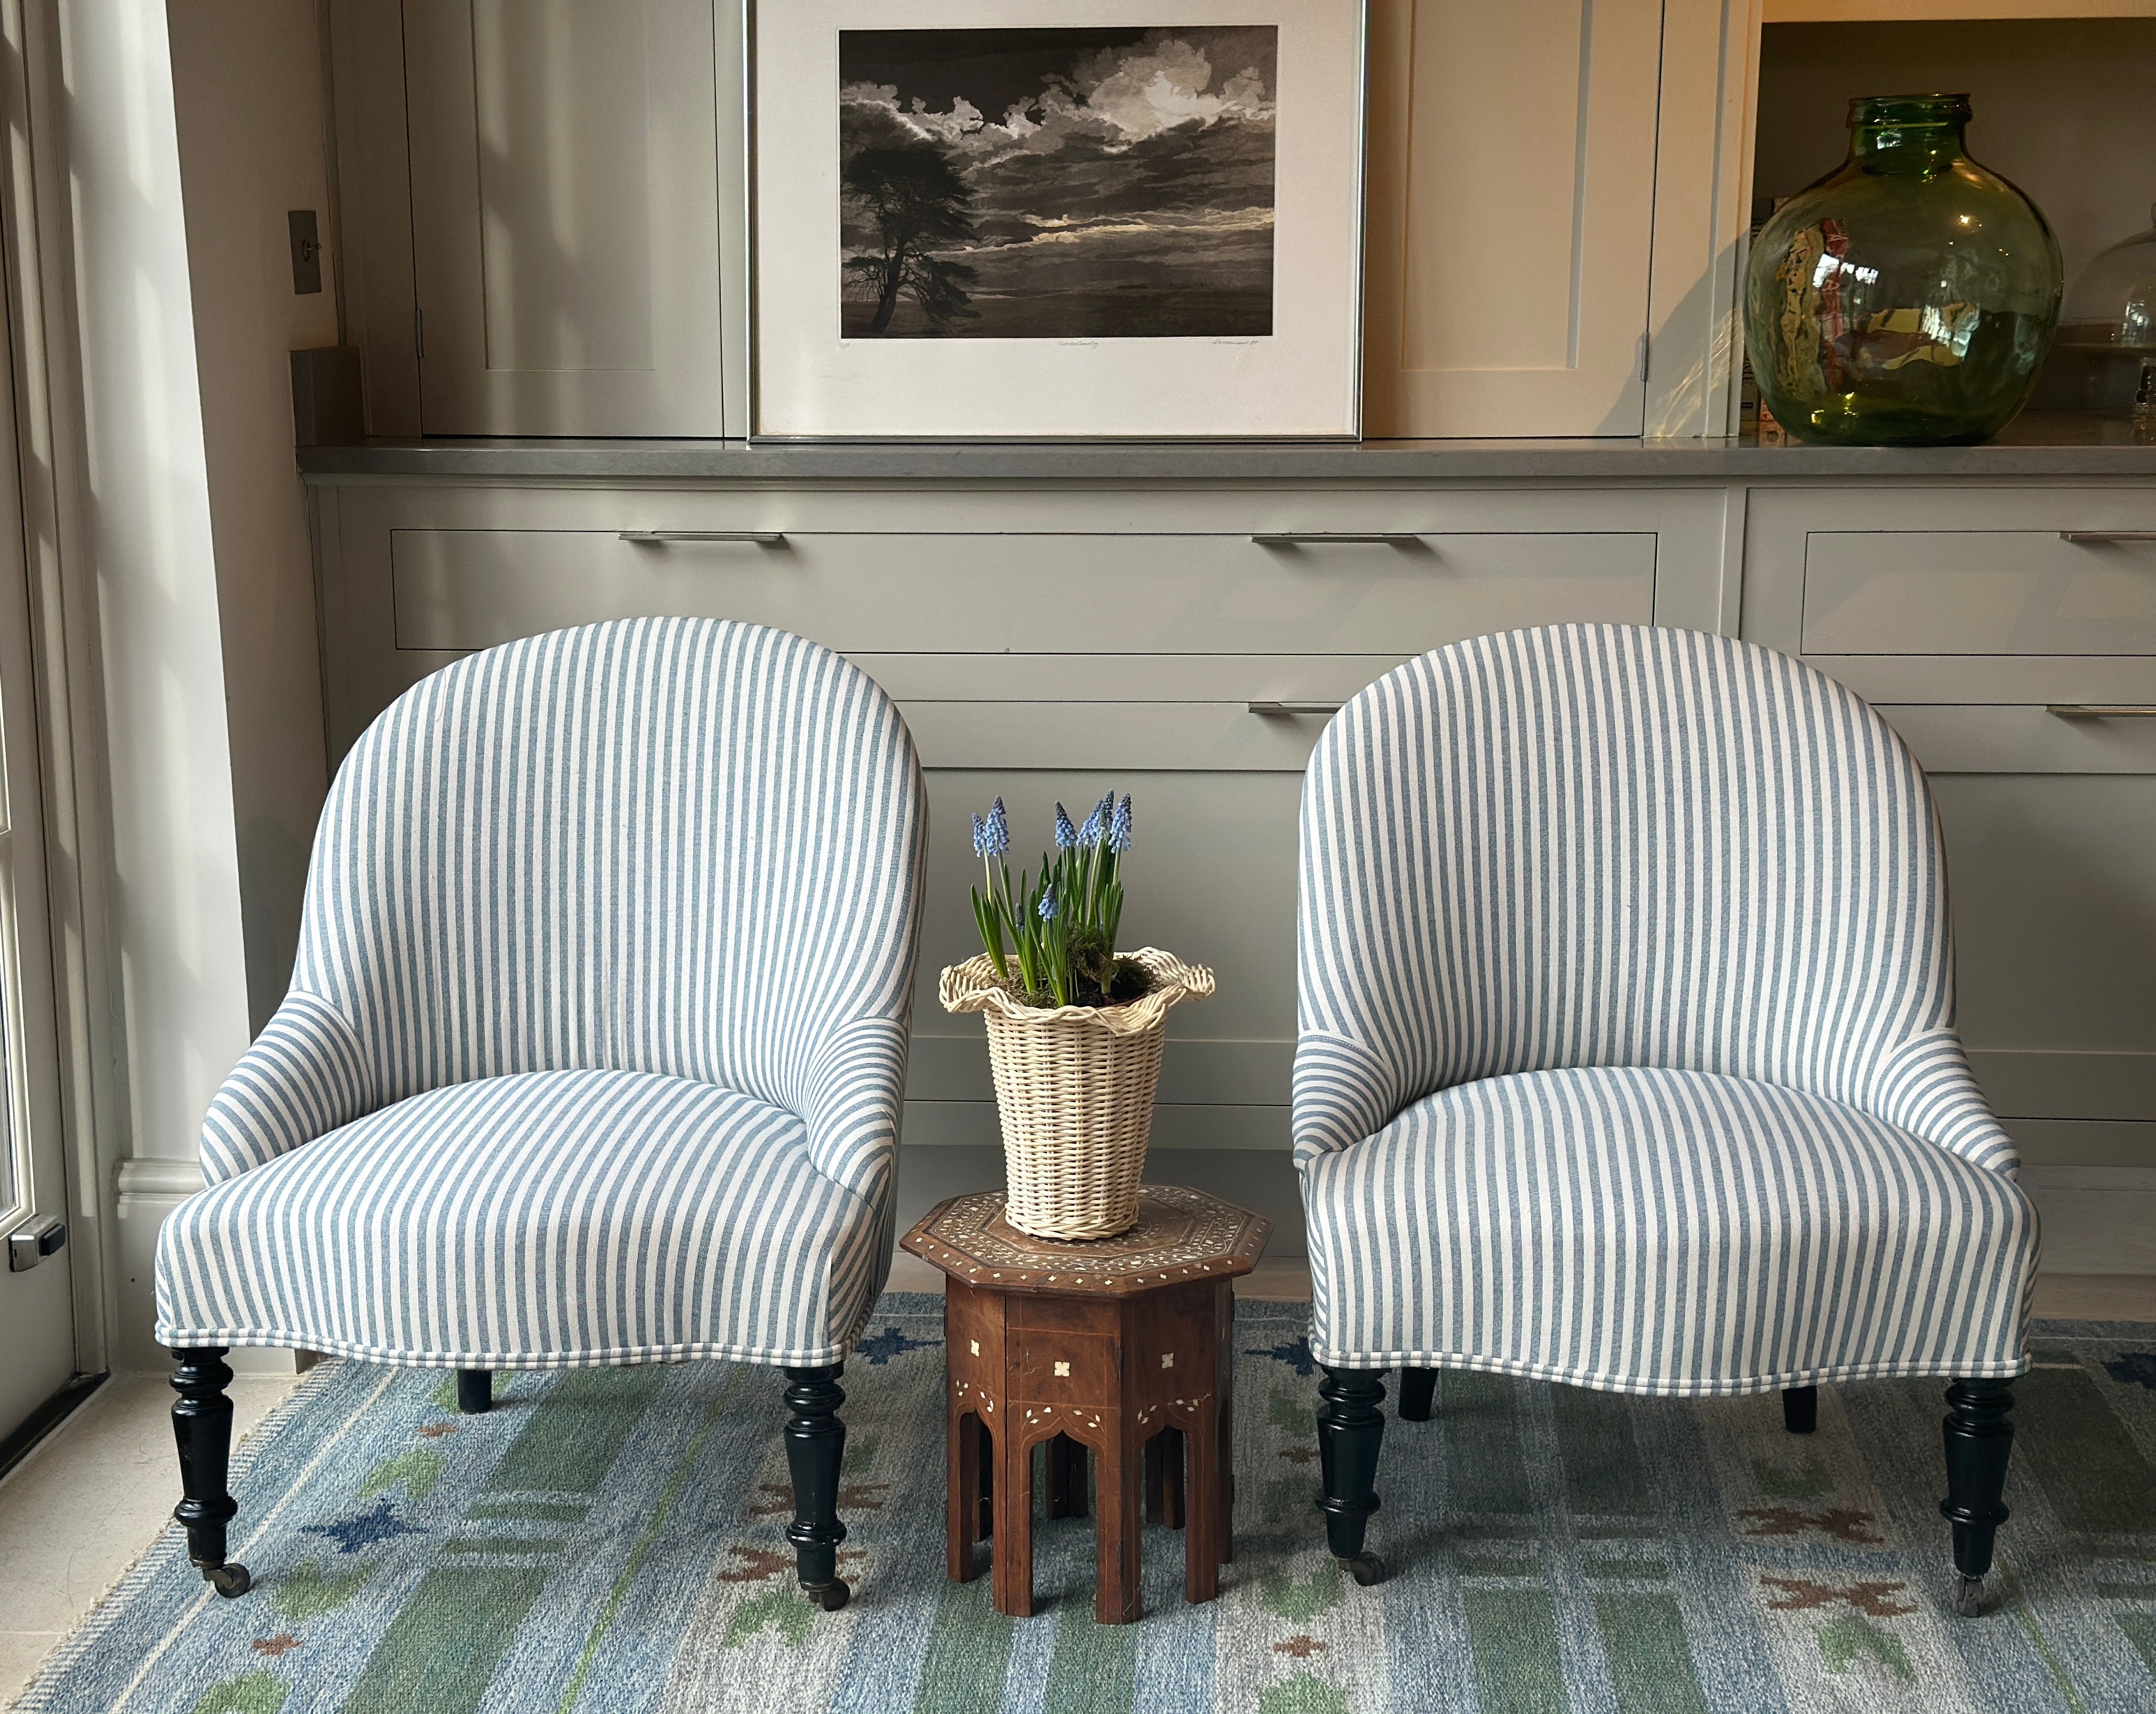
x: 1907, y: 299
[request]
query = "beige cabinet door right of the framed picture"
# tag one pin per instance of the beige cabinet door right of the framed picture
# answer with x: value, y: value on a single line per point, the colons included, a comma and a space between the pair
x: 1510, y: 217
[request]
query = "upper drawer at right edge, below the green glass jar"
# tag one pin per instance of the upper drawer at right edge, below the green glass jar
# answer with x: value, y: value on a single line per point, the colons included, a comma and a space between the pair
x: 1978, y: 594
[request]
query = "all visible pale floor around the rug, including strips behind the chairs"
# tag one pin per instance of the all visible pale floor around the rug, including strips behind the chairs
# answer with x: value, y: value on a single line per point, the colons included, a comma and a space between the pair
x: 94, y: 1497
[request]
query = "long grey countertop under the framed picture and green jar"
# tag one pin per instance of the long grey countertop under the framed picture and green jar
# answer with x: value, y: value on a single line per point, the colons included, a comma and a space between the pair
x: 2036, y: 445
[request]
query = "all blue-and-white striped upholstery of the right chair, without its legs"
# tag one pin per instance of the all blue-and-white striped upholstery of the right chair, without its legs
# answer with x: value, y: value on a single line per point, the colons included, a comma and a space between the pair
x: 1627, y: 1032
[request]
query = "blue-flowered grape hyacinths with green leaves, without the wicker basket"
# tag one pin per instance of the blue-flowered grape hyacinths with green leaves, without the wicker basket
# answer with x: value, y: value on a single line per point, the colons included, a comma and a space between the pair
x: 1062, y: 926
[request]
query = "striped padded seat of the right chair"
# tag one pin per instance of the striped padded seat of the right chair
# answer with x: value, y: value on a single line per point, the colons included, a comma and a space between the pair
x: 1663, y: 1232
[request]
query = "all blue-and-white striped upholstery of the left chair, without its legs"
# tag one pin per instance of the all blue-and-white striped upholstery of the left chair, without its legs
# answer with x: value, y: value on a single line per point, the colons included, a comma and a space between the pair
x: 598, y: 1027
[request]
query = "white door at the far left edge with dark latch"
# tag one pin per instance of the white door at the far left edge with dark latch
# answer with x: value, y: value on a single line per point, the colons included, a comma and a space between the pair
x: 38, y: 1308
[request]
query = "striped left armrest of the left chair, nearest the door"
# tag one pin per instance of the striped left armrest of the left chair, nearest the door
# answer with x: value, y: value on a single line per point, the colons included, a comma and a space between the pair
x: 303, y: 1077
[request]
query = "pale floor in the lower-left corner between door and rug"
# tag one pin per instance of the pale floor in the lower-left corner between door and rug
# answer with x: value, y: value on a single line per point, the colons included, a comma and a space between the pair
x: 81, y: 1508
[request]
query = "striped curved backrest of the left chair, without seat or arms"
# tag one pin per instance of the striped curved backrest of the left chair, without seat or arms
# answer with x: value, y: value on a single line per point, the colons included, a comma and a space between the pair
x: 672, y: 846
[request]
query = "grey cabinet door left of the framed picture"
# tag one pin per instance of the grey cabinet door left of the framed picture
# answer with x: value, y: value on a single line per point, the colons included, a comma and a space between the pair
x: 566, y: 217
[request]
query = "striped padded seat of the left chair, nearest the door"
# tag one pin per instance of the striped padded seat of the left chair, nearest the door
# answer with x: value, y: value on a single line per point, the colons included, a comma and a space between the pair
x: 551, y: 1219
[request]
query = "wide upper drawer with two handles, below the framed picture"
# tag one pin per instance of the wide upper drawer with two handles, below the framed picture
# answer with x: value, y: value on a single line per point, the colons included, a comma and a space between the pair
x: 991, y: 594
